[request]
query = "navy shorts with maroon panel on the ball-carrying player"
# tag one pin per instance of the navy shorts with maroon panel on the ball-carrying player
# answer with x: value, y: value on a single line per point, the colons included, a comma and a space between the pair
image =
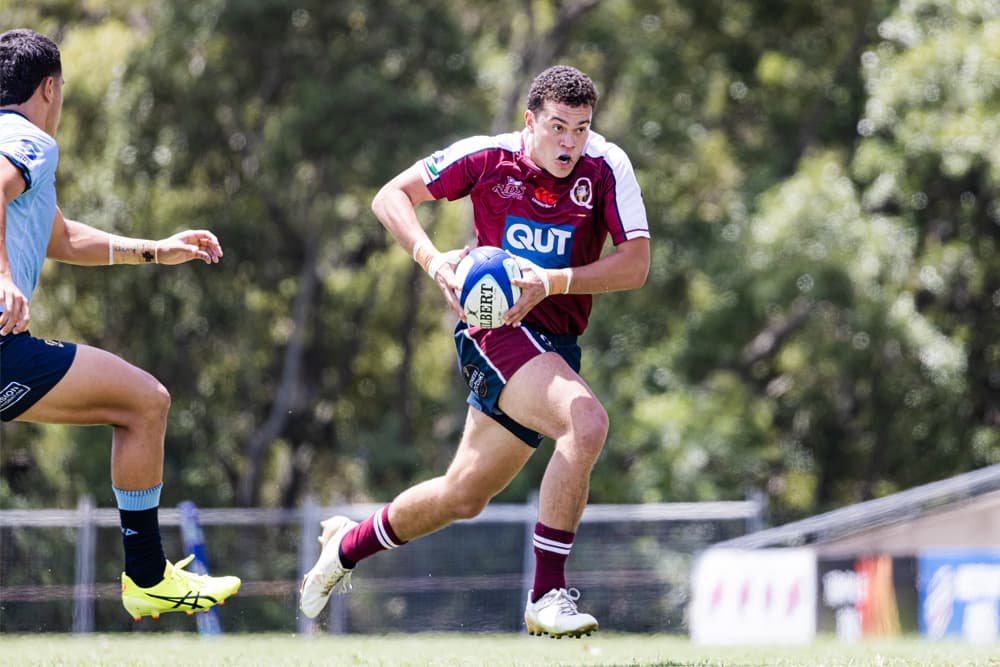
x: 488, y: 357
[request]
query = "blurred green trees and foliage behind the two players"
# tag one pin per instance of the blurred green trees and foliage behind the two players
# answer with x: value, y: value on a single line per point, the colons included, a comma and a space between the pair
x: 821, y: 321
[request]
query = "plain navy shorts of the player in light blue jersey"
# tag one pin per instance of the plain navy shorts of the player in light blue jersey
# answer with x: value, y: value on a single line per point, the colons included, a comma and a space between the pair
x: 29, y: 368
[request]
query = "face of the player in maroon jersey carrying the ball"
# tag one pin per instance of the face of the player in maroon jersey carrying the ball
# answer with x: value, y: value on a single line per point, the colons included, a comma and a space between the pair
x: 557, y: 134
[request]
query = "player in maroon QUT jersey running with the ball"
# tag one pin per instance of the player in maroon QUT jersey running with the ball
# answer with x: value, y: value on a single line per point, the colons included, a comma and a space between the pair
x: 551, y: 195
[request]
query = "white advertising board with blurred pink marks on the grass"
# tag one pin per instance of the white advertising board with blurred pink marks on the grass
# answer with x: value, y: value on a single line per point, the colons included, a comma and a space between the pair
x: 759, y: 596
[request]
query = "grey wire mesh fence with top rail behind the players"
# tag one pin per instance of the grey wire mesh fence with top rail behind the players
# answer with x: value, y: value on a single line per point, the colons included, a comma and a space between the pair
x: 60, y: 569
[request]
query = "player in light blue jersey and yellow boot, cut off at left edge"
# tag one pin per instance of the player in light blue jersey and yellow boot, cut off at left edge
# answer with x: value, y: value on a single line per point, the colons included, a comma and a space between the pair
x: 56, y: 382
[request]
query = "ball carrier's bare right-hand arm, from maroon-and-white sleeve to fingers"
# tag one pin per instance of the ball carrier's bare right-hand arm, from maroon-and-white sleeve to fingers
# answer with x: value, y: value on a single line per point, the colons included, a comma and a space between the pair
x: 625, y: 268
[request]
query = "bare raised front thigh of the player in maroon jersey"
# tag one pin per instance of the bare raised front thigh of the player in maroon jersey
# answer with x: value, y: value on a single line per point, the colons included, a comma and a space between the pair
x: 547, y: 396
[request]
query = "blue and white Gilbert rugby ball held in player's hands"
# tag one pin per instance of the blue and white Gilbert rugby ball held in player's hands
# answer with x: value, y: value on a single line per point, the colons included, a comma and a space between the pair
x: 487, y: 293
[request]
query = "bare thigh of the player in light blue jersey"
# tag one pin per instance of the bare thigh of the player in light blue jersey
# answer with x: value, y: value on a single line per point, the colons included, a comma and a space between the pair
x: 100, y: 388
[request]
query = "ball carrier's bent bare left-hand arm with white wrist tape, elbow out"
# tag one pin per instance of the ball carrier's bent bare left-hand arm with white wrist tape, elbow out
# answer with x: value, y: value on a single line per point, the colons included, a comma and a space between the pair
x: 395, y: 207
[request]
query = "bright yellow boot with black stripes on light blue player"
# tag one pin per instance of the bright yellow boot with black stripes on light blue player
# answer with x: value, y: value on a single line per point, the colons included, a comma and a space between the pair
x: 178, y: 591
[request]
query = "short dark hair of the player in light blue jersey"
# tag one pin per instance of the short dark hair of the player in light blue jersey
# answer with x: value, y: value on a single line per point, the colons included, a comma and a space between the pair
x: 26, y: 58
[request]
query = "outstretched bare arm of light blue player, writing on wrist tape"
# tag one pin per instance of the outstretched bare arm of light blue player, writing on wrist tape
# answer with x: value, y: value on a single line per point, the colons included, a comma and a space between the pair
x: 74, y: 242
